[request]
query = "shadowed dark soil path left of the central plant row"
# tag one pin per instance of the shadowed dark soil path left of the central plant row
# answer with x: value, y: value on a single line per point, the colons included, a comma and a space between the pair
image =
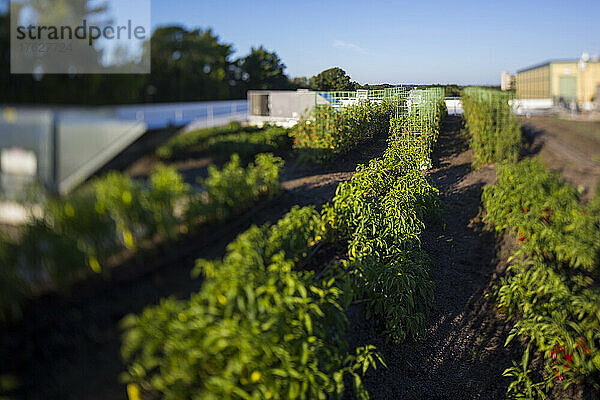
x: 67, y: 345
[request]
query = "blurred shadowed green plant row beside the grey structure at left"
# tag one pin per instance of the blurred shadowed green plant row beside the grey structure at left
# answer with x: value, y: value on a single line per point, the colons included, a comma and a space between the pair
x: 88, y: 227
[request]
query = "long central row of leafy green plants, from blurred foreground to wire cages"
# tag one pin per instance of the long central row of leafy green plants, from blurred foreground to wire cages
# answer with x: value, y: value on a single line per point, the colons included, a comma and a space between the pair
x: 266, y: 324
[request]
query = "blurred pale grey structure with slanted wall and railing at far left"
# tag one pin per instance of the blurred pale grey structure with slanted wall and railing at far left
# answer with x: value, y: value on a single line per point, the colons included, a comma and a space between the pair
x: 67, y: 145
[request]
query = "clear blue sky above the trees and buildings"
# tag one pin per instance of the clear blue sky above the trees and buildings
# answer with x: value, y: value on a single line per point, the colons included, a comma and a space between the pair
x: 377, y: 41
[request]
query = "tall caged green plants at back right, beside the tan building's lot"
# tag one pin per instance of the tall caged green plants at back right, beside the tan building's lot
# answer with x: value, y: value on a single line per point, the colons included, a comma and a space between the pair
x: 494, y: 131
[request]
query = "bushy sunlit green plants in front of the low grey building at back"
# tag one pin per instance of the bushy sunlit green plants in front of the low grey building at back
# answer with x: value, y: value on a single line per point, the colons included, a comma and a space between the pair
x: 330, y: 132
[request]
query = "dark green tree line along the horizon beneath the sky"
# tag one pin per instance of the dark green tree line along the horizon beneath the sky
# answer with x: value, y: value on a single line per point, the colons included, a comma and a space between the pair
x: 187, y: 65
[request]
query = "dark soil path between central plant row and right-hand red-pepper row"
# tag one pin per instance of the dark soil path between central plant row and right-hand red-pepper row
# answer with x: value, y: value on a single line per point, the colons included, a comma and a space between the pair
x: 462, y: 355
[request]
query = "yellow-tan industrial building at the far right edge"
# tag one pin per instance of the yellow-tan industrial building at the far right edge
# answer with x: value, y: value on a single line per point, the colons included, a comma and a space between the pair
x: 566, y: 80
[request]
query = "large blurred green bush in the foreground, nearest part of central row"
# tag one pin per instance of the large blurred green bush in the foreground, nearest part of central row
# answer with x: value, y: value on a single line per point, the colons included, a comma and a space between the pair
x: 257, y: 329
